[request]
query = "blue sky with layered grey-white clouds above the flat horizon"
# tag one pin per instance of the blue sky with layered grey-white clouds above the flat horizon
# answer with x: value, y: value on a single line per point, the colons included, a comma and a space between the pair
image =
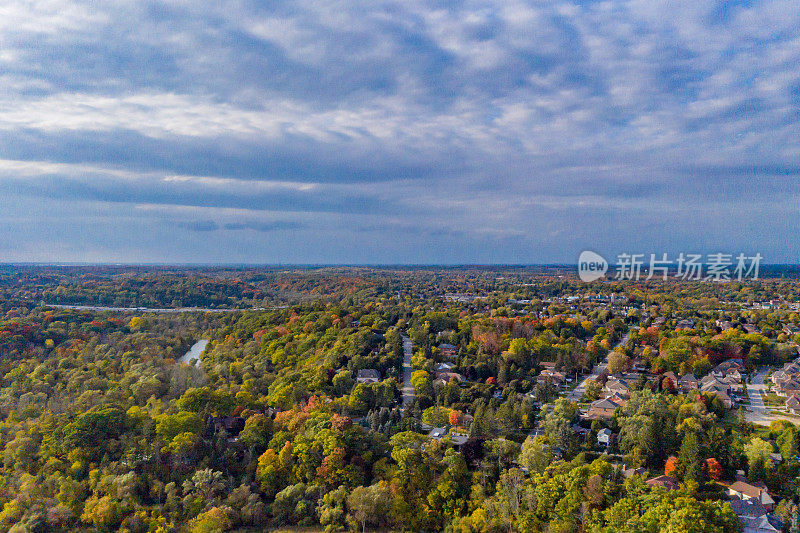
x: 383, y: 132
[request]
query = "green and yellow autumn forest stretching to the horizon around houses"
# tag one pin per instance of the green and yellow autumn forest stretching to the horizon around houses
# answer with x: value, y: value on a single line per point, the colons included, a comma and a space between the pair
x: 294, y: 417
